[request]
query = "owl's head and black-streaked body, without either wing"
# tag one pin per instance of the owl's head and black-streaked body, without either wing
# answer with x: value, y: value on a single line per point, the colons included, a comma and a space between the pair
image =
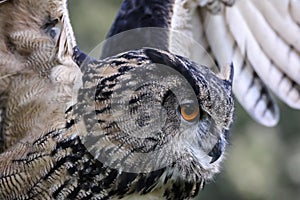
x: 147, y: 124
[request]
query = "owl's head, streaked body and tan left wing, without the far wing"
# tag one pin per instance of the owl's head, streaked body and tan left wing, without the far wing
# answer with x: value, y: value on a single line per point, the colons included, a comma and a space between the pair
x: 144, y: 124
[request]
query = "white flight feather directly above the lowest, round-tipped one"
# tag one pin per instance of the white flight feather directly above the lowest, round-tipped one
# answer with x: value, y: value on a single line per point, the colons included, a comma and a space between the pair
x: 284, y: 87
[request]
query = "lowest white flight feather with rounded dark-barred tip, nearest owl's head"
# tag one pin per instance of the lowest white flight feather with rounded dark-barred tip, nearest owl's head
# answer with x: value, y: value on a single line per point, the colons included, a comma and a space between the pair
x: 248, y: 88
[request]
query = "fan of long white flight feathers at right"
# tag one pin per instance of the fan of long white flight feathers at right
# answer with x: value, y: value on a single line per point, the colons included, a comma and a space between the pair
x: 262, y: 39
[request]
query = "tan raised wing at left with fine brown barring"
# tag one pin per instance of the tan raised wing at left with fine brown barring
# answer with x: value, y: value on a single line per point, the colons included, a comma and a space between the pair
x: 32, y: 35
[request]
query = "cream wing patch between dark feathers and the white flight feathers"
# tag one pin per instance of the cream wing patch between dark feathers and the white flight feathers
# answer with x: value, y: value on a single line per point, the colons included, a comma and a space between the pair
x: 185, y: 39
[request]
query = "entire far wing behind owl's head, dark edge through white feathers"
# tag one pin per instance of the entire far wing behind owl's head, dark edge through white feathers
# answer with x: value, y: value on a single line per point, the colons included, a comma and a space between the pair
x: 261, y: 39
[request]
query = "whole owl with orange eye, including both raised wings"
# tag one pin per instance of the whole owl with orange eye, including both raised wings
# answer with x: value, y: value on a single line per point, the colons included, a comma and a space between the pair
x: 143, y: 123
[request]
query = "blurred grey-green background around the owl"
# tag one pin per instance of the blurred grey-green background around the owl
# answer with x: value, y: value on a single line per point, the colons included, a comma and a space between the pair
x: 262, y: 163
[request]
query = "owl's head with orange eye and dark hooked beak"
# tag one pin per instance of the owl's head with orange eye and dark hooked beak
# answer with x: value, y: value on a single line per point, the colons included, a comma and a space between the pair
x: 148, y: 110
